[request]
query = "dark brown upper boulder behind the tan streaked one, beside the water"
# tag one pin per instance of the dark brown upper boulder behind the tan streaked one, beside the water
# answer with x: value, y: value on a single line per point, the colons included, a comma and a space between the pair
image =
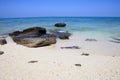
x: 33, y: 31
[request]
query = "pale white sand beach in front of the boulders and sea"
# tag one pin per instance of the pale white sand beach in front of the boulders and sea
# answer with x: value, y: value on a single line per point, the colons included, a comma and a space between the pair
x: 54, y: 63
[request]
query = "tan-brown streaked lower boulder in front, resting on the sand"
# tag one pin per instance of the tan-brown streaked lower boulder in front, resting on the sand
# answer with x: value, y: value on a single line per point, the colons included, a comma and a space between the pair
x: 34, y: 42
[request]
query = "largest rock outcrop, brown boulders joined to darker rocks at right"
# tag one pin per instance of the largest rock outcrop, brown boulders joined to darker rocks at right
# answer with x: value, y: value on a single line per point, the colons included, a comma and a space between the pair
x: 37, y: 37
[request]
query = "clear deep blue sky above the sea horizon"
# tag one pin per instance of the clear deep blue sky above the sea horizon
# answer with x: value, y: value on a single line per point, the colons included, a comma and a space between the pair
x: 50, y: 8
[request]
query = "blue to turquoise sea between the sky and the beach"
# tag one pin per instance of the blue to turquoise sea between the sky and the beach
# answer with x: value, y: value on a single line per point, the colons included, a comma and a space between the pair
x: 103, y: 25
